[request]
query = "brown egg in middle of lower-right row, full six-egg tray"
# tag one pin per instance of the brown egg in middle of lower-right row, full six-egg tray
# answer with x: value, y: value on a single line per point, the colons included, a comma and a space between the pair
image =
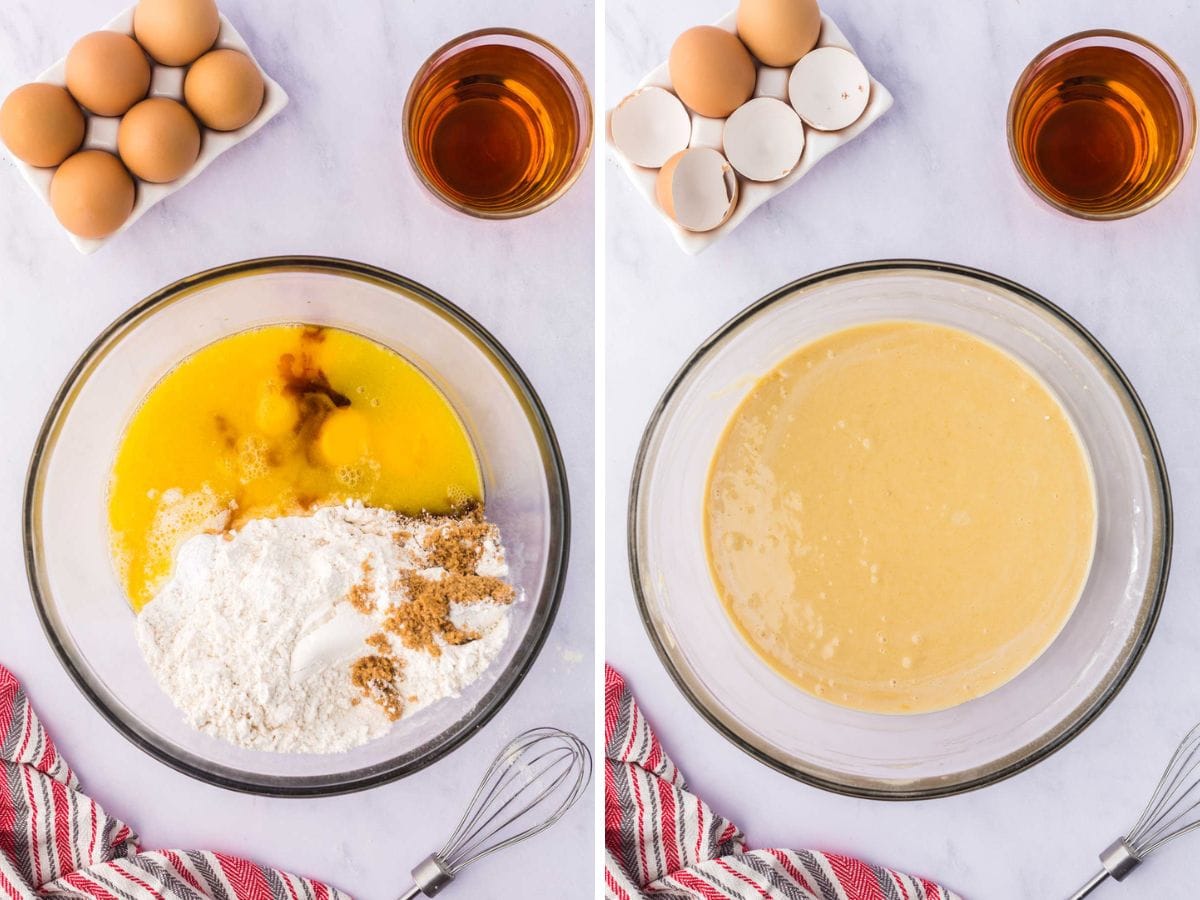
x: 159, y: 140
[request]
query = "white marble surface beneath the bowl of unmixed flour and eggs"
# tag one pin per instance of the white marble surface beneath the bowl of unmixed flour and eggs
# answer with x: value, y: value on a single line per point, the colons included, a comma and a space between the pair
x: 327, y: 177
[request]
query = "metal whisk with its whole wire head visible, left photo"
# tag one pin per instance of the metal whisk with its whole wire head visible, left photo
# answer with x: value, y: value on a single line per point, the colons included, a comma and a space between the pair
x: 529, y: 788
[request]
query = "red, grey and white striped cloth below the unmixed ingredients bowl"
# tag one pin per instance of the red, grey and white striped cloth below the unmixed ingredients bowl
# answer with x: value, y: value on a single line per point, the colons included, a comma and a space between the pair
x: 56, y: 842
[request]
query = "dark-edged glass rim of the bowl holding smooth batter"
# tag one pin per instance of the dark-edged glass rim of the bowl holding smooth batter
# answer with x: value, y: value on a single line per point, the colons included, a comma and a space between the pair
x: 1157, y: 587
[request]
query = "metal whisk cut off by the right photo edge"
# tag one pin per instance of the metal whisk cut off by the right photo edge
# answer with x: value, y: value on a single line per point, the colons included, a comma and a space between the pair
x: 1173, y: 812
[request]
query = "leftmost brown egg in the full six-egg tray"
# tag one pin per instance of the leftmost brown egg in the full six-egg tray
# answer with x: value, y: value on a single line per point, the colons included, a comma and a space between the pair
x: 41, y: 124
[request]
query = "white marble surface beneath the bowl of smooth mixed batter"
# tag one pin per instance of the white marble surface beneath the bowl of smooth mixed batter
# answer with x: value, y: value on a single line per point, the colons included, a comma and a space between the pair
x: 932, y: 179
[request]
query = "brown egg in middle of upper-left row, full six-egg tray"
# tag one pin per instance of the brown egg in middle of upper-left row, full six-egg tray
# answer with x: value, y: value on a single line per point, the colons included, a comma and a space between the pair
x: 107, y: 73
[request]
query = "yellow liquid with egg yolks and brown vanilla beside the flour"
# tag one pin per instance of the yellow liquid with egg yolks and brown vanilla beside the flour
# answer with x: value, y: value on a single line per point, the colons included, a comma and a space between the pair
x: 278, y: 422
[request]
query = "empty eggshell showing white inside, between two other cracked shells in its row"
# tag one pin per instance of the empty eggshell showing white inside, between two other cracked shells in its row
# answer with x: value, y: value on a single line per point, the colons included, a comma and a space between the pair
x: 764, y: 140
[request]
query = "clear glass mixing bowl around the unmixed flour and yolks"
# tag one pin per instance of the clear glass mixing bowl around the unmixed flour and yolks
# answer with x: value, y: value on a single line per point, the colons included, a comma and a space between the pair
x: 82, y: 607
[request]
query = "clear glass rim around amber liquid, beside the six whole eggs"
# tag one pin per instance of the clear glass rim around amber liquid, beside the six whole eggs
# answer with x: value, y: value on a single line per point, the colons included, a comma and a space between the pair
x: 587, y: 131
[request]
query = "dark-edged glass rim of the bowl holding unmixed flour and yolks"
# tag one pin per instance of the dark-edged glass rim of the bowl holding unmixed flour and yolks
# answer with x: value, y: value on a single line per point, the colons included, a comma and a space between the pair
x: 409, y: 291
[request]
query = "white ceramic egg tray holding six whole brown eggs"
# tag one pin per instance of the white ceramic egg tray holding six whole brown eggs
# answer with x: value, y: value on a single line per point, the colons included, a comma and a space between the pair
x: 165, y: 82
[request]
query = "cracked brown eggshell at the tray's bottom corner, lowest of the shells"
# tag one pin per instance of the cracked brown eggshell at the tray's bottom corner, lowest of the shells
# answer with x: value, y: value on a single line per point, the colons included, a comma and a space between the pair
x: 698, y: 189
